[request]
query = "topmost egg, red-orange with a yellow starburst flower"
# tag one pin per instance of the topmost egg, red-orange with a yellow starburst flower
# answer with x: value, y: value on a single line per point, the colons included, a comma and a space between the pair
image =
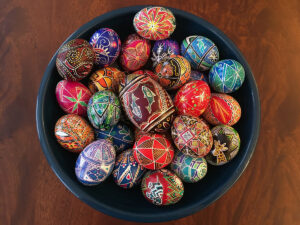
x: 154, y: 23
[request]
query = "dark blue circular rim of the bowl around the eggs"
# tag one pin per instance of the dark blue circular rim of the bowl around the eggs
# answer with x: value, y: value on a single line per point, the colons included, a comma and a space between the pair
x: 140, y: 217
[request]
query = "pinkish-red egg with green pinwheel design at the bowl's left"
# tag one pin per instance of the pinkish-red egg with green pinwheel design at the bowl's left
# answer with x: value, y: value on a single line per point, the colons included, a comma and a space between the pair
x: 72, y: 97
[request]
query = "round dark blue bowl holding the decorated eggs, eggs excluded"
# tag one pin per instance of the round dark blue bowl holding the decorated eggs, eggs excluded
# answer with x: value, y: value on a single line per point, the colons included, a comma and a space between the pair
x: 130, y: 204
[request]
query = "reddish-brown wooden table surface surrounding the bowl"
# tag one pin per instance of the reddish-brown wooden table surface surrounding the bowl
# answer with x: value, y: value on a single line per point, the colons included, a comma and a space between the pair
x: 268, y: 34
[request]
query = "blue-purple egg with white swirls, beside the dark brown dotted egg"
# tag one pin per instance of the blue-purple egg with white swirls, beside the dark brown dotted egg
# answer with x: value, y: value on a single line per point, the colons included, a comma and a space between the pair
x: 106, y: 45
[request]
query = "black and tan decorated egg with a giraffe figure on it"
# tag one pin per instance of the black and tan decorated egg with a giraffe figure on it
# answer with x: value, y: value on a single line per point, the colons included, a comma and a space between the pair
x: 226, y: 145
